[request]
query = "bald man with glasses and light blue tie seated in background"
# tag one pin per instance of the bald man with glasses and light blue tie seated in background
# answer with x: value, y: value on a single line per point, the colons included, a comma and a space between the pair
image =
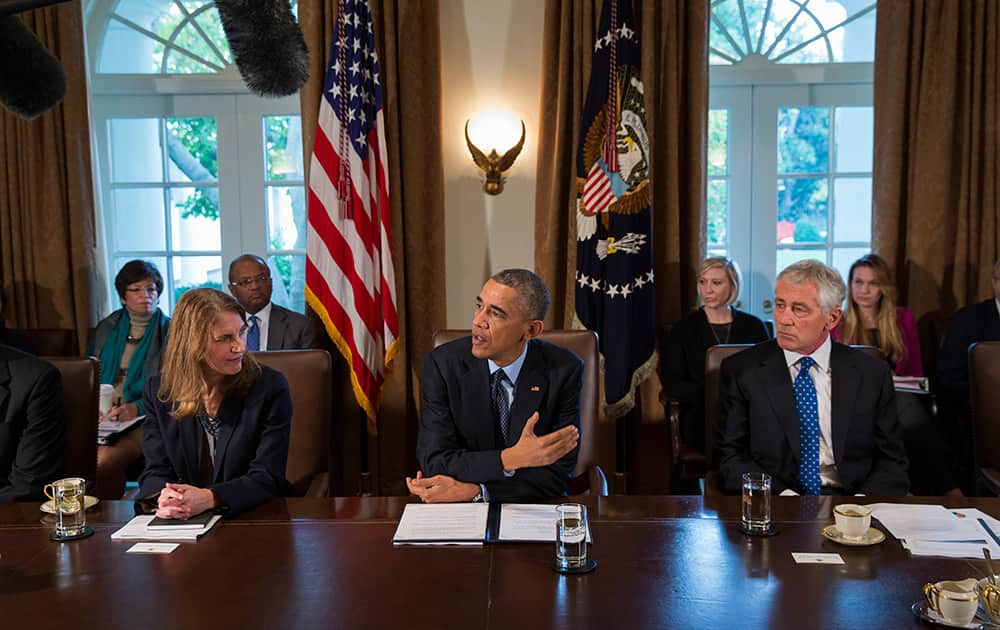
x: 271, y: 327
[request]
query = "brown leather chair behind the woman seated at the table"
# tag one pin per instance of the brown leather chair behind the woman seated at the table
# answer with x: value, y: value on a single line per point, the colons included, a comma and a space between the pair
x: 309, y: 380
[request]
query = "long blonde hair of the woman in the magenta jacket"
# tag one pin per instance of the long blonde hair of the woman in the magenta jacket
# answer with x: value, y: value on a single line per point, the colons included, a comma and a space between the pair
x: 890, y: 338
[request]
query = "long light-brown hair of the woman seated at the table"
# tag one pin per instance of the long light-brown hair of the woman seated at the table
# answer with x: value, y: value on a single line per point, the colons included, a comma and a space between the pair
x: 181, y: 380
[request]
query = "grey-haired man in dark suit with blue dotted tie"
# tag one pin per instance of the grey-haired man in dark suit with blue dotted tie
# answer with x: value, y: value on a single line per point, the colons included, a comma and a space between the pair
x: 832, y: 429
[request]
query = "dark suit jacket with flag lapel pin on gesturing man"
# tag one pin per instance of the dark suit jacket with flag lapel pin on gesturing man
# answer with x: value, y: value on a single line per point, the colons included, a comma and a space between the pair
x: 459, y: 433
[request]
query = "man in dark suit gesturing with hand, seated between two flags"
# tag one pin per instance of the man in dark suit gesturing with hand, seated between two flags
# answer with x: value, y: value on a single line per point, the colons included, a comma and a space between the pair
x: 500, y: 411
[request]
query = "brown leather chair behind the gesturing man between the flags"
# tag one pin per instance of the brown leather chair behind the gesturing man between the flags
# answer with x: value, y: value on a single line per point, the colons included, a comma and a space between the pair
x: 588, y: 478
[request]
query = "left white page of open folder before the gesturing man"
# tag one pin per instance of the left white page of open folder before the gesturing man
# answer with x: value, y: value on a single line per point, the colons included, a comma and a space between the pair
x: 444, y: 524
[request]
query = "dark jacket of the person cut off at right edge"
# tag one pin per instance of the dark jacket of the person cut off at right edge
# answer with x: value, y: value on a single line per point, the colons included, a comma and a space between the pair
x: 978, y: 322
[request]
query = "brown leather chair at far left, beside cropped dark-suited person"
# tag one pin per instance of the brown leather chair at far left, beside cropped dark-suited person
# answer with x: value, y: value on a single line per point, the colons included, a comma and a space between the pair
x: 81, y: 379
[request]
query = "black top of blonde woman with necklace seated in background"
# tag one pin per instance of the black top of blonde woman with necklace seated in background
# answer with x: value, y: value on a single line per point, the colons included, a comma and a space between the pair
x: 684, y: 365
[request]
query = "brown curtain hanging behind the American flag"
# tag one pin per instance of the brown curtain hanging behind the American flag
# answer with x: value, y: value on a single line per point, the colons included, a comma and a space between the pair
x: 409, y: 47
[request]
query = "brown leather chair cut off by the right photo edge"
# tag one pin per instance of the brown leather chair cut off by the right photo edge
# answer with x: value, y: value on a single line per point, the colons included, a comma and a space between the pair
x: 984, y: 382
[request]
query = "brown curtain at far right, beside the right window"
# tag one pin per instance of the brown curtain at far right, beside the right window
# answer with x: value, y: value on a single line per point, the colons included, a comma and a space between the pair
x: 937, y: 133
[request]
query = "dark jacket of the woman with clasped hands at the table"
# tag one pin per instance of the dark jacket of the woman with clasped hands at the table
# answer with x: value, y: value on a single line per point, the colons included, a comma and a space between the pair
x: 251, y: 448
